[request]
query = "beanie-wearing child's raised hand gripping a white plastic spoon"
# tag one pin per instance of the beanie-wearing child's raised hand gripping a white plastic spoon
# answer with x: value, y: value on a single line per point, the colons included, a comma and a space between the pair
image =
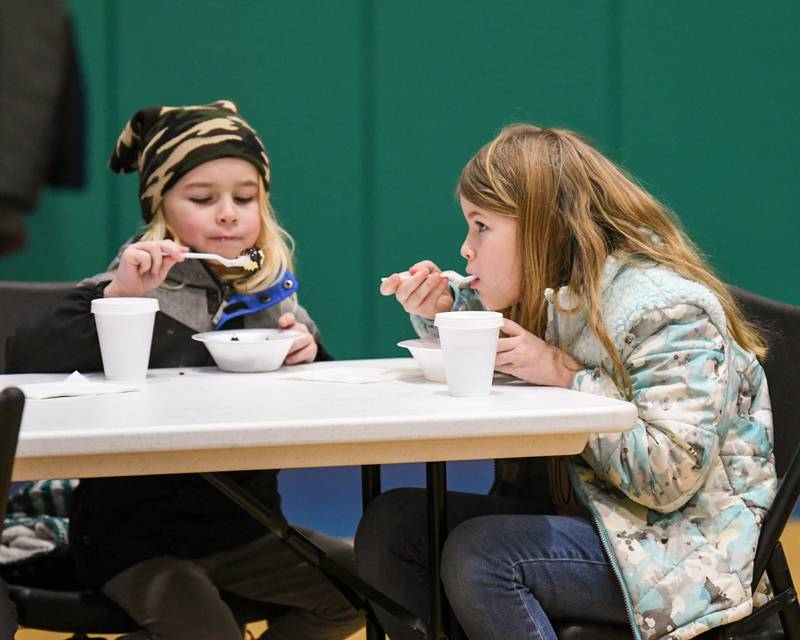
x: 143, y: 266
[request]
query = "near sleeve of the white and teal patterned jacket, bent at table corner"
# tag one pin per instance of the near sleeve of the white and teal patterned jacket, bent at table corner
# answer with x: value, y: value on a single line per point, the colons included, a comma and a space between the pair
x: 679, y: 372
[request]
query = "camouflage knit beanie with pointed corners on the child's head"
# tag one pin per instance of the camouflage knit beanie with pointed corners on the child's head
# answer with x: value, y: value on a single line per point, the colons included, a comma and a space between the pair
x: 165, y: 143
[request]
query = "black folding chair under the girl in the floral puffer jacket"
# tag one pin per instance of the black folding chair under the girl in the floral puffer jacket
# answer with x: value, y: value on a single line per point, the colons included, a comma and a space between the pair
x: 782, y: 324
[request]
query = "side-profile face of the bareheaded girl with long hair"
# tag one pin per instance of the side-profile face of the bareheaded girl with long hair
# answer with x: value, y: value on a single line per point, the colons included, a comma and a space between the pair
x: 492, y: 254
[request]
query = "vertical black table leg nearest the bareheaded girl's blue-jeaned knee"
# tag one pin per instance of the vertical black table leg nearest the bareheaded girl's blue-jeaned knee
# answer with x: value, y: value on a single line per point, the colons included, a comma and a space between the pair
x: 436, y: 475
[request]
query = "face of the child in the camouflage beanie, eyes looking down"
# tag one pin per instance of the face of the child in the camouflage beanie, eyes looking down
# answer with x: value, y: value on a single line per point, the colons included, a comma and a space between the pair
x: 215, y: 207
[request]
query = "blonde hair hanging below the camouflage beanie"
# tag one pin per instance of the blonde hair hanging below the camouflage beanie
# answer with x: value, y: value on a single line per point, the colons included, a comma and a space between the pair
x: 275, y: 243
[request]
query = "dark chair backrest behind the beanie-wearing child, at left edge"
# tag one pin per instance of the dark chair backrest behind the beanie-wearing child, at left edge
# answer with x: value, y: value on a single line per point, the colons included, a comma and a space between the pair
x: 24, y: 302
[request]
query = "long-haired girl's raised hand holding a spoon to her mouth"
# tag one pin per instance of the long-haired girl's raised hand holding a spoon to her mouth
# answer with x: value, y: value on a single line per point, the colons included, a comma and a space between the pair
x: 425, y: 293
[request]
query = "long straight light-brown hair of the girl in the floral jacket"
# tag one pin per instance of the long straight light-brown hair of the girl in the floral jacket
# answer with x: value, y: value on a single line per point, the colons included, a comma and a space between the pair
x: 574, y: 207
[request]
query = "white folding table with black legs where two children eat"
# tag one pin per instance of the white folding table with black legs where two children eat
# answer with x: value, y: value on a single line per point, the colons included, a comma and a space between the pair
x: 205, y: 420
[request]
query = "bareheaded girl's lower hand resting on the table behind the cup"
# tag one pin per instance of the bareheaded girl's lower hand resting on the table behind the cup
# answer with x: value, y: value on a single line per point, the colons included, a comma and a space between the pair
x: 529, y: 358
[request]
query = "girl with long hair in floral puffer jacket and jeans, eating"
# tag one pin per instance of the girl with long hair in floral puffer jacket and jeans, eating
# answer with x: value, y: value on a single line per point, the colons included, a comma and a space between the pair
x: 602, y: 292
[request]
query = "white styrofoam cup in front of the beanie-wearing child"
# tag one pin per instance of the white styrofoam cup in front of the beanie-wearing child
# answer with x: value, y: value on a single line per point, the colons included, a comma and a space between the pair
x: 125, y: 332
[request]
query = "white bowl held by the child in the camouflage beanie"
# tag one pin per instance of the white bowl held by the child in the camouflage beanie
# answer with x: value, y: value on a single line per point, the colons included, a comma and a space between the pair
x: 248, y: 350
